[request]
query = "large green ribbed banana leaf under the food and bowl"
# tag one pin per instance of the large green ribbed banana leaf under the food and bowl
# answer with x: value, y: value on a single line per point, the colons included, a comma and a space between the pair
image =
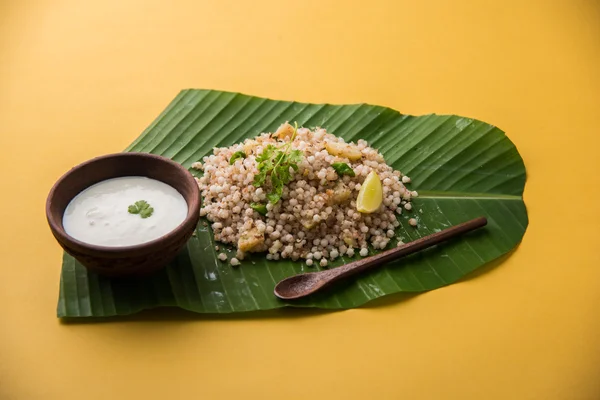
x: 461, y: 167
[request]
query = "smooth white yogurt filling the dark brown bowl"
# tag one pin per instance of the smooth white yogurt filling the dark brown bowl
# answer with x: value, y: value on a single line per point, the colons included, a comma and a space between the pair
x: 100, y: 214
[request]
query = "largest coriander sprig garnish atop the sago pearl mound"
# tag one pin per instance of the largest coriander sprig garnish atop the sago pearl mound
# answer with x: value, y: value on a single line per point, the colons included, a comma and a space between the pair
x: 275, y: 163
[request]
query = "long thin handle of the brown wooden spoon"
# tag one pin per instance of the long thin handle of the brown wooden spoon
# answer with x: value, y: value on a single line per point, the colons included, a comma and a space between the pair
x: 355, y: 267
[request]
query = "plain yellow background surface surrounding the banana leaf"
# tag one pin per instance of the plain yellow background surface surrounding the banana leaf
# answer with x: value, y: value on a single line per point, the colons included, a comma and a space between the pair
x: 80, y: 79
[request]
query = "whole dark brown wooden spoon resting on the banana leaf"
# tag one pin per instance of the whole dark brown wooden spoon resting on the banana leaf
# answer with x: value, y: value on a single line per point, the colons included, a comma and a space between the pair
x: 302, y: 285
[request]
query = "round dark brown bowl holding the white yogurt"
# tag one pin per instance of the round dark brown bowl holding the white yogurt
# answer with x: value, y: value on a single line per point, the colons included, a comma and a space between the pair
x: 137, y: 260
